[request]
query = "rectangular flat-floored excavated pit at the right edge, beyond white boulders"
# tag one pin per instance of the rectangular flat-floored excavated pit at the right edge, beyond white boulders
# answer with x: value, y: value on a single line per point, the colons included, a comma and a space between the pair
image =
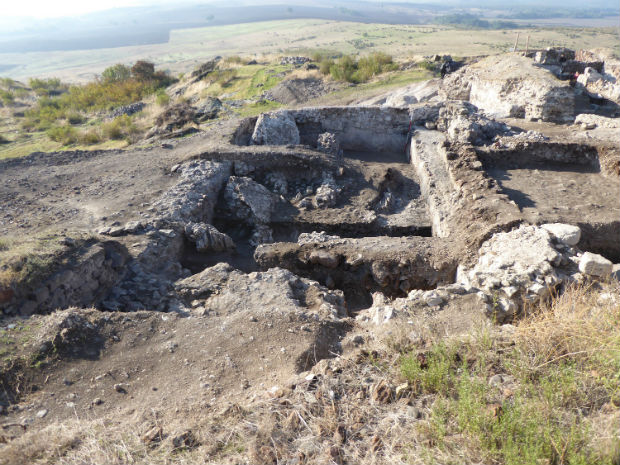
x: 562, y: 183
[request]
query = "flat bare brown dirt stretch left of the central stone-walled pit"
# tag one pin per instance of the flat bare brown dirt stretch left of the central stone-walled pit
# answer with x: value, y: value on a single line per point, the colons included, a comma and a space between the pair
x: 81, y: 190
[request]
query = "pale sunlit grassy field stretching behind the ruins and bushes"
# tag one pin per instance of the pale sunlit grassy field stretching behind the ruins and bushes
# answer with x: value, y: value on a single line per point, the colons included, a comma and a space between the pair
x: 189, y: 47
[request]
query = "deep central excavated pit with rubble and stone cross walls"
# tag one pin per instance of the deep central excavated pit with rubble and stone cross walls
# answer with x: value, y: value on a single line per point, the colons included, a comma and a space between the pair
x: 374, y: 205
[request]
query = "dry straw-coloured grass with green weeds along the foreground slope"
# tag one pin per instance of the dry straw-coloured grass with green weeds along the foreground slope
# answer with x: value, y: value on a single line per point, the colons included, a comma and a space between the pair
x: 544, y: 391
